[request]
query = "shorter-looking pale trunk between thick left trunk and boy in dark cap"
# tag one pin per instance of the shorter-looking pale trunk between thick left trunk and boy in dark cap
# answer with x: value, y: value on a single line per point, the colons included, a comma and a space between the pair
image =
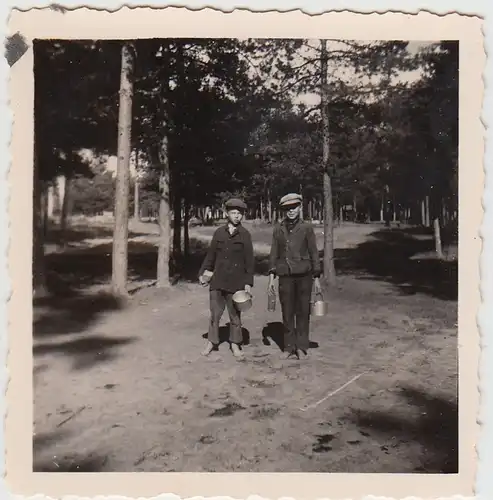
x: 163, y: 278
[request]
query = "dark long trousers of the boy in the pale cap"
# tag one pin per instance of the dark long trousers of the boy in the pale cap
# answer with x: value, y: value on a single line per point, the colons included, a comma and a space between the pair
x: 294, y: 296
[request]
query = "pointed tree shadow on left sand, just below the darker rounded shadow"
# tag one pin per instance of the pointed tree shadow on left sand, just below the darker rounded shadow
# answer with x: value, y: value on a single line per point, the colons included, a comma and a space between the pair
x: 85, y: 352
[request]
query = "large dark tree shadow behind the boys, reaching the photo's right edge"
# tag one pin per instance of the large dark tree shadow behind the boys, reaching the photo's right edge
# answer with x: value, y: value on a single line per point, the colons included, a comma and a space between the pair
x: 389, y: 256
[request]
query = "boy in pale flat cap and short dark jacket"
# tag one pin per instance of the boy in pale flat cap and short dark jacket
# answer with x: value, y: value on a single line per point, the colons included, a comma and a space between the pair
x: 294, y: 259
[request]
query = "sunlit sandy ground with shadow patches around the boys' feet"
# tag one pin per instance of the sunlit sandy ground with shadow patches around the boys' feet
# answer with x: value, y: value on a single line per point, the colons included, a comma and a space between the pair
x: 125, y: 389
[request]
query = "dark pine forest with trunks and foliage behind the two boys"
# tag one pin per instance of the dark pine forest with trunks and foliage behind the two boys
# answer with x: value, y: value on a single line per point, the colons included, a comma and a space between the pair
x: 207, y: 119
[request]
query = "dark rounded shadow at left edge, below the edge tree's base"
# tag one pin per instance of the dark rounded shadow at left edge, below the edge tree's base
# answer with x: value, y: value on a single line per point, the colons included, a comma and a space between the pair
x: 54, y: 315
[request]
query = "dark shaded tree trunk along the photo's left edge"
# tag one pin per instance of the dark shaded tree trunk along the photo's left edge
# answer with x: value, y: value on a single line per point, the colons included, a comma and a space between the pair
x: 39, y: 276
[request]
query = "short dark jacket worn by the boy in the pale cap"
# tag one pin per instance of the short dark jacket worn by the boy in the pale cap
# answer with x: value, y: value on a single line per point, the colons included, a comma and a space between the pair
x: 294, y: 250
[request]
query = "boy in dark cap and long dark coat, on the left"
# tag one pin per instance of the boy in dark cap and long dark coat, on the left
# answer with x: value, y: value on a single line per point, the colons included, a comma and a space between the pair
x: 230, y: 259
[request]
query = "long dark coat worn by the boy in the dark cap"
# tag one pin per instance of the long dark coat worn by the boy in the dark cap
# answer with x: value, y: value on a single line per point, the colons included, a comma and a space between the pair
x: 231, y: 259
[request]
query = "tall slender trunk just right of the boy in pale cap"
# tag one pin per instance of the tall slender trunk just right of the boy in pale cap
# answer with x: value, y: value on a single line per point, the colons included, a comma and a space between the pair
x: 329, y: 268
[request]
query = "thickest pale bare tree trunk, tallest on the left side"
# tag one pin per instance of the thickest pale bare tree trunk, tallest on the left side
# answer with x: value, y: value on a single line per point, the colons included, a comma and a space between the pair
x: 120, y: 234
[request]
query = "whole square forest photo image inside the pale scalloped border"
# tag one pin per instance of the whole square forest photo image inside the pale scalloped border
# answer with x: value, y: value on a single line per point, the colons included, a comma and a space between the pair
x: 245, y: 255
